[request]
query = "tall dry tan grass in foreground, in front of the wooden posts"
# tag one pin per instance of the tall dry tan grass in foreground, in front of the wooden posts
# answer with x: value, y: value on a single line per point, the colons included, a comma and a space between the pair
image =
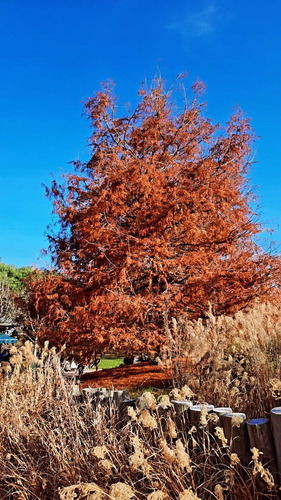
x: 53, y: 446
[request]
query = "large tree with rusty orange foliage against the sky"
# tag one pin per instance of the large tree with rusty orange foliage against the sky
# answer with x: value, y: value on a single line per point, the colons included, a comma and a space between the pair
x: 158, y: 223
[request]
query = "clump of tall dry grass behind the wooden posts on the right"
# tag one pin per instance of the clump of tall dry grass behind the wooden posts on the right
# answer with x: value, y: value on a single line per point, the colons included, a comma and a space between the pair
x: 236, y: 360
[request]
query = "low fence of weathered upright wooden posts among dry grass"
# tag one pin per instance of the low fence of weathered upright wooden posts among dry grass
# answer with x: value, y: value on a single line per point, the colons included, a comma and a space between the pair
x: 242, y: 434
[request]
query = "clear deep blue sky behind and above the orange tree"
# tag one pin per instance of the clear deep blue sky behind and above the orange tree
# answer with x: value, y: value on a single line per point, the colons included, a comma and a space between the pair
x: 54, y: 54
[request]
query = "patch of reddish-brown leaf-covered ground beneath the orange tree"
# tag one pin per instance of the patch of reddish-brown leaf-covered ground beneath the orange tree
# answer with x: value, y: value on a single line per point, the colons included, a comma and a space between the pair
x: 127, y: 377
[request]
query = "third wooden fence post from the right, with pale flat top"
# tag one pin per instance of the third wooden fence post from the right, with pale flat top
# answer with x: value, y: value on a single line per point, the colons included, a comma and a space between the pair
x: 235, y: 430
